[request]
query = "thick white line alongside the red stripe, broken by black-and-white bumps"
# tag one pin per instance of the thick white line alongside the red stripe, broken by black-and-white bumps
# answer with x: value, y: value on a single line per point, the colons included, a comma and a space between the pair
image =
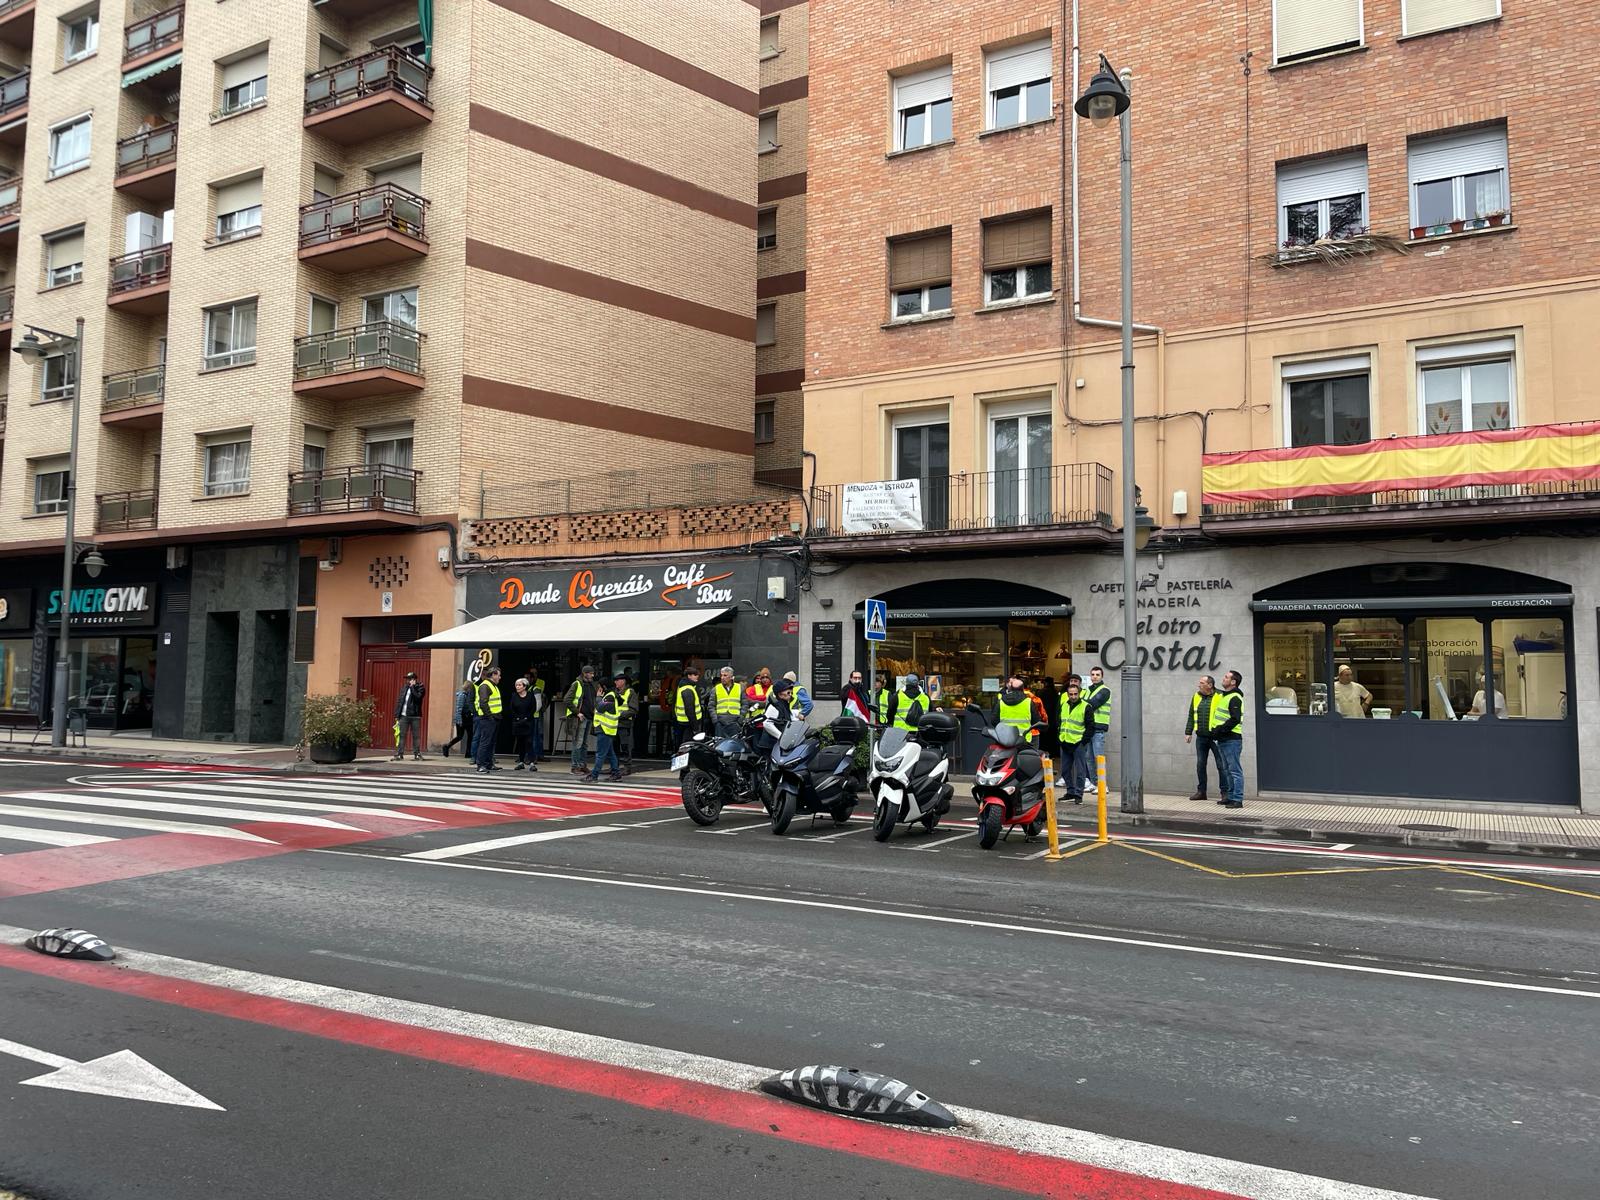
x: 1228, y: 1177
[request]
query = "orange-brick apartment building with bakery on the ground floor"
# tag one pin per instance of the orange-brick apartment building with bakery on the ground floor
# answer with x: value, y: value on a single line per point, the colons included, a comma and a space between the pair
x: 1366, y: 425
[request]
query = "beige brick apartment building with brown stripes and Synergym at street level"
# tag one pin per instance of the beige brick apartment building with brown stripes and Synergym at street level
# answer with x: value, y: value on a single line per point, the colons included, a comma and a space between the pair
x: 345, y: 271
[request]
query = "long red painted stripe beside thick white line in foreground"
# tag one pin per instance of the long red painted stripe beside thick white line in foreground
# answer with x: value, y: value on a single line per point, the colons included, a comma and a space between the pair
x: 748, y: 1113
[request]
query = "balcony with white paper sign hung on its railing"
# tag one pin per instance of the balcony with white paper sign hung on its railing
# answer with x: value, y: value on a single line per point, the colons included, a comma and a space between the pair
x: 1039, y: 506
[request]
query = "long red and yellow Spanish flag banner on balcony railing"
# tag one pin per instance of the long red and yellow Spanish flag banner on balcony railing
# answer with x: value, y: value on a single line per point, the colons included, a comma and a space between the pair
x: 1502, y: 457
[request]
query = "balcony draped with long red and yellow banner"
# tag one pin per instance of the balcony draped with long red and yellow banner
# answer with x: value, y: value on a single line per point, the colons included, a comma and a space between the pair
x: 1407, y: 484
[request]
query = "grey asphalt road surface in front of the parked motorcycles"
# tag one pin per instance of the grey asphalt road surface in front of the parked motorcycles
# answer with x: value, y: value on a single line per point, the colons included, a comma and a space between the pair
x: 1378, y: 1026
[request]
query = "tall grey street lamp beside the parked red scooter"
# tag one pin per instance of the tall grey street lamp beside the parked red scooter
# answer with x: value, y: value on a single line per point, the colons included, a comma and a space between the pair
x: 1110, y: 97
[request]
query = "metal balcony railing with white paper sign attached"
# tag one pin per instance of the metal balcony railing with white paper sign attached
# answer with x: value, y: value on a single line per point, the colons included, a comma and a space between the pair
x: 1068, y: 495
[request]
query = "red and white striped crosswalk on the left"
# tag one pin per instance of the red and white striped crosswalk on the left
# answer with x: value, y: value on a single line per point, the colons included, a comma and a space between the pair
x: 274, y: 809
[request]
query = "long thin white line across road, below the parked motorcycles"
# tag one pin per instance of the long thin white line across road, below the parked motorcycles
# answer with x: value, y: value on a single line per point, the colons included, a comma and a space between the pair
x: 999, y: 927
